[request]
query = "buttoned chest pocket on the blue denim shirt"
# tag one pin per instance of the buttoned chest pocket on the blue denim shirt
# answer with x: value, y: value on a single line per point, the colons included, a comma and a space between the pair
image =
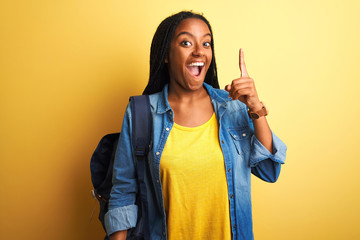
x: 241, y: 138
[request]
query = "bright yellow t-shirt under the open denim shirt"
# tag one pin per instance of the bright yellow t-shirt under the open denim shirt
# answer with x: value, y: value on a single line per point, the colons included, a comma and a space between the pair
x: 194, y: 183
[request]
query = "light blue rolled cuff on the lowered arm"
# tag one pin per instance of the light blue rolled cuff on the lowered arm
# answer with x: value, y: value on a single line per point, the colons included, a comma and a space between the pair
x: 120, y: 218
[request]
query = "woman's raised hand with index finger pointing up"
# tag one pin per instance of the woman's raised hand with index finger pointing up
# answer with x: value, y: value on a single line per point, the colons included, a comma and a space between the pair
x: 243, y: 88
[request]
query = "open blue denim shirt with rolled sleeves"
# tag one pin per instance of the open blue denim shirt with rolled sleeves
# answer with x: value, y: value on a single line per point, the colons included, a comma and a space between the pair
x: 243, y: 154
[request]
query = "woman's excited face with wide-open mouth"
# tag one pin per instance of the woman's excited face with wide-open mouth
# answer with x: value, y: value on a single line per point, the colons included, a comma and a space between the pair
x: 190, y: 54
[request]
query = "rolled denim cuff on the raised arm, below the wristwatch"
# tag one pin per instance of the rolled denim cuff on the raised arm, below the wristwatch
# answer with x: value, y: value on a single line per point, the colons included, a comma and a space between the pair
x: 260, y: 153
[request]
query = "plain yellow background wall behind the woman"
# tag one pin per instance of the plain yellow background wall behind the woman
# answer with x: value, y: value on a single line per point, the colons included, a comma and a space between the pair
x: 68, y: 67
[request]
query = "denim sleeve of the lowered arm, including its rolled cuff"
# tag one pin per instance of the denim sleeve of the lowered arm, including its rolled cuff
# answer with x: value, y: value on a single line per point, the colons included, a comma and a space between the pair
x: 122, y: 213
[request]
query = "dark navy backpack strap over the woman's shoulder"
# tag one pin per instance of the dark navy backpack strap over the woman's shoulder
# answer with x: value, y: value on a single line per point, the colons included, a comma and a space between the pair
x: 141, y: 135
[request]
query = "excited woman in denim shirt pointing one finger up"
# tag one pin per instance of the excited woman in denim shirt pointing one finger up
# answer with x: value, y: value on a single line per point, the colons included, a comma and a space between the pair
x: 205, y: 145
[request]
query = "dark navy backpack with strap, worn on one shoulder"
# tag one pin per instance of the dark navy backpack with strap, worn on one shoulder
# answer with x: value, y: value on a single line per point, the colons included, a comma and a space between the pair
x: 102, y: 161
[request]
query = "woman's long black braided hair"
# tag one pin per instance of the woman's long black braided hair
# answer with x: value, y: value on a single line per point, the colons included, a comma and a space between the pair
x: 159, y: 74
